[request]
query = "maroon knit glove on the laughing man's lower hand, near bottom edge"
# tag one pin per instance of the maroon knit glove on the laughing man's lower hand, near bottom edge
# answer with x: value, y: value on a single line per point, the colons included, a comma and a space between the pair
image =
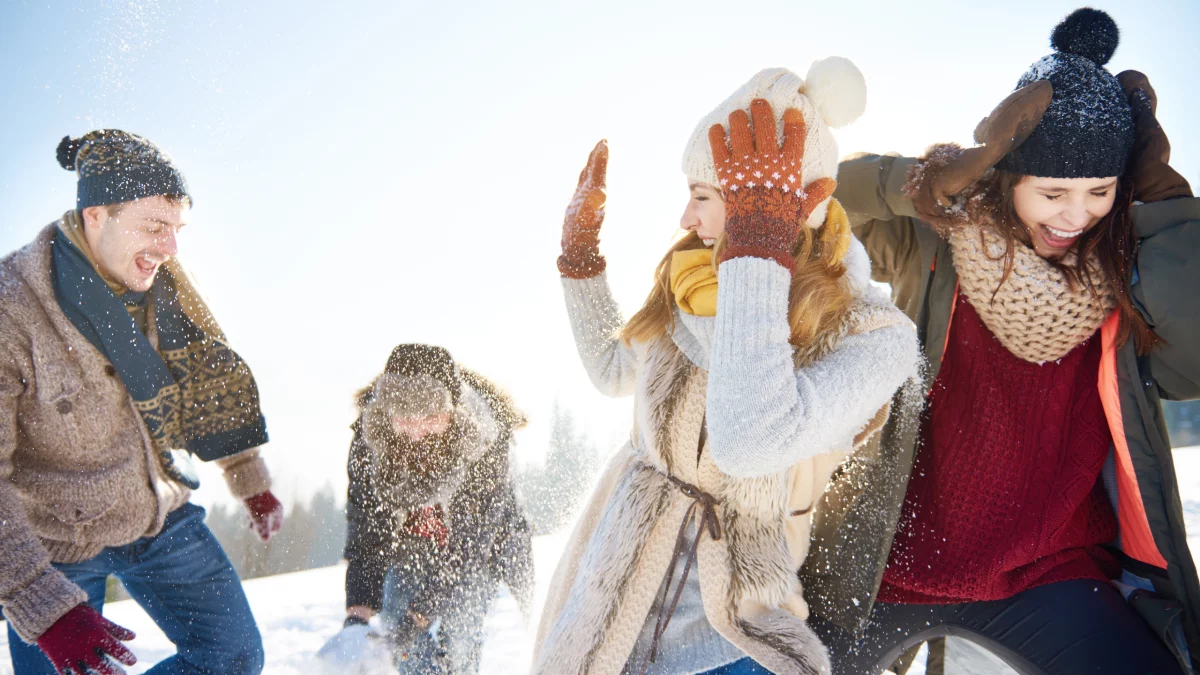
x: 82, y: 641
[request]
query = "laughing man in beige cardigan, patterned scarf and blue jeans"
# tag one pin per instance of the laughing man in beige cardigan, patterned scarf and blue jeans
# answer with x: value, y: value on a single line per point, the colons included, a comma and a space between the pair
x: 115, y: 374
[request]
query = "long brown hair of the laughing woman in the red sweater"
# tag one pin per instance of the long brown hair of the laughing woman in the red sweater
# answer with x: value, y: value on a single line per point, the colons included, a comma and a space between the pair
x: 1113, y: 244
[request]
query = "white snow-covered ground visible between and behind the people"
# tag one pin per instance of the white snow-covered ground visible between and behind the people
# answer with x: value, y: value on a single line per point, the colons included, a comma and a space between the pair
x: 298, y: 613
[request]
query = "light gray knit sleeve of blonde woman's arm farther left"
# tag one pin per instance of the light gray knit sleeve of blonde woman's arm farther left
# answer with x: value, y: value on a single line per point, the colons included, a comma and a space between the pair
x: 596, y: 321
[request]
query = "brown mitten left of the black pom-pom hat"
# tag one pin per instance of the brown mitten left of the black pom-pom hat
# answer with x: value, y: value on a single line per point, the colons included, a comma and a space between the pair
x: 1013, y: 121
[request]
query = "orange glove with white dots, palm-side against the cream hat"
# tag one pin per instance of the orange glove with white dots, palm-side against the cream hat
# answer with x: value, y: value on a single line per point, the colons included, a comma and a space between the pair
x: 766, y: 205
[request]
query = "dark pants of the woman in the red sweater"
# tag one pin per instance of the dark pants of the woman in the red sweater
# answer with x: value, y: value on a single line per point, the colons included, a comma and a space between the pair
x: 1066, y: 629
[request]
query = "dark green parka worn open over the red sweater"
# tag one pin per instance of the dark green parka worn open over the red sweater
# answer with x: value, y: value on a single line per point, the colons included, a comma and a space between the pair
x: 854, y: 528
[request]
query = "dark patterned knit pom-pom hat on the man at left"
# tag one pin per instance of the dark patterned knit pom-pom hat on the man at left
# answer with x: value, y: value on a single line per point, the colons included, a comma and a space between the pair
x: 116, y: 166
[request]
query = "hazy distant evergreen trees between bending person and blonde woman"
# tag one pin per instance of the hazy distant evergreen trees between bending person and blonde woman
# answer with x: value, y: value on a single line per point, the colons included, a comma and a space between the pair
x: 554, y: 492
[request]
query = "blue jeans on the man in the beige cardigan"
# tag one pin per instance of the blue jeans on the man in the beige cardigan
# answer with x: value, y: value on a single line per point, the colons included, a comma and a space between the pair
x: 184, y: 581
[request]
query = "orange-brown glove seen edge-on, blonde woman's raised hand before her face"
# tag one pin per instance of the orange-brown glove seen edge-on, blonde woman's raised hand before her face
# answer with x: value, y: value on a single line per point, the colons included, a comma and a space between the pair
x: 581, y: 229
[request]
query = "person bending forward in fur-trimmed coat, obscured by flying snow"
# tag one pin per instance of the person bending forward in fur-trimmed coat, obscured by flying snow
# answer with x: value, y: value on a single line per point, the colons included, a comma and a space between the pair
x: 435, y: 525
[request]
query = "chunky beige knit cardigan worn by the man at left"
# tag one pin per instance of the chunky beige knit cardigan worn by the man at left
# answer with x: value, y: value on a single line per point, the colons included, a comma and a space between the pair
x: 79, y: 471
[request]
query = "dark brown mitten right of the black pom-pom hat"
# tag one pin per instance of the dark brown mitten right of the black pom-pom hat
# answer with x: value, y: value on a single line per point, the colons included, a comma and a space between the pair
x: 1154, y: 180
